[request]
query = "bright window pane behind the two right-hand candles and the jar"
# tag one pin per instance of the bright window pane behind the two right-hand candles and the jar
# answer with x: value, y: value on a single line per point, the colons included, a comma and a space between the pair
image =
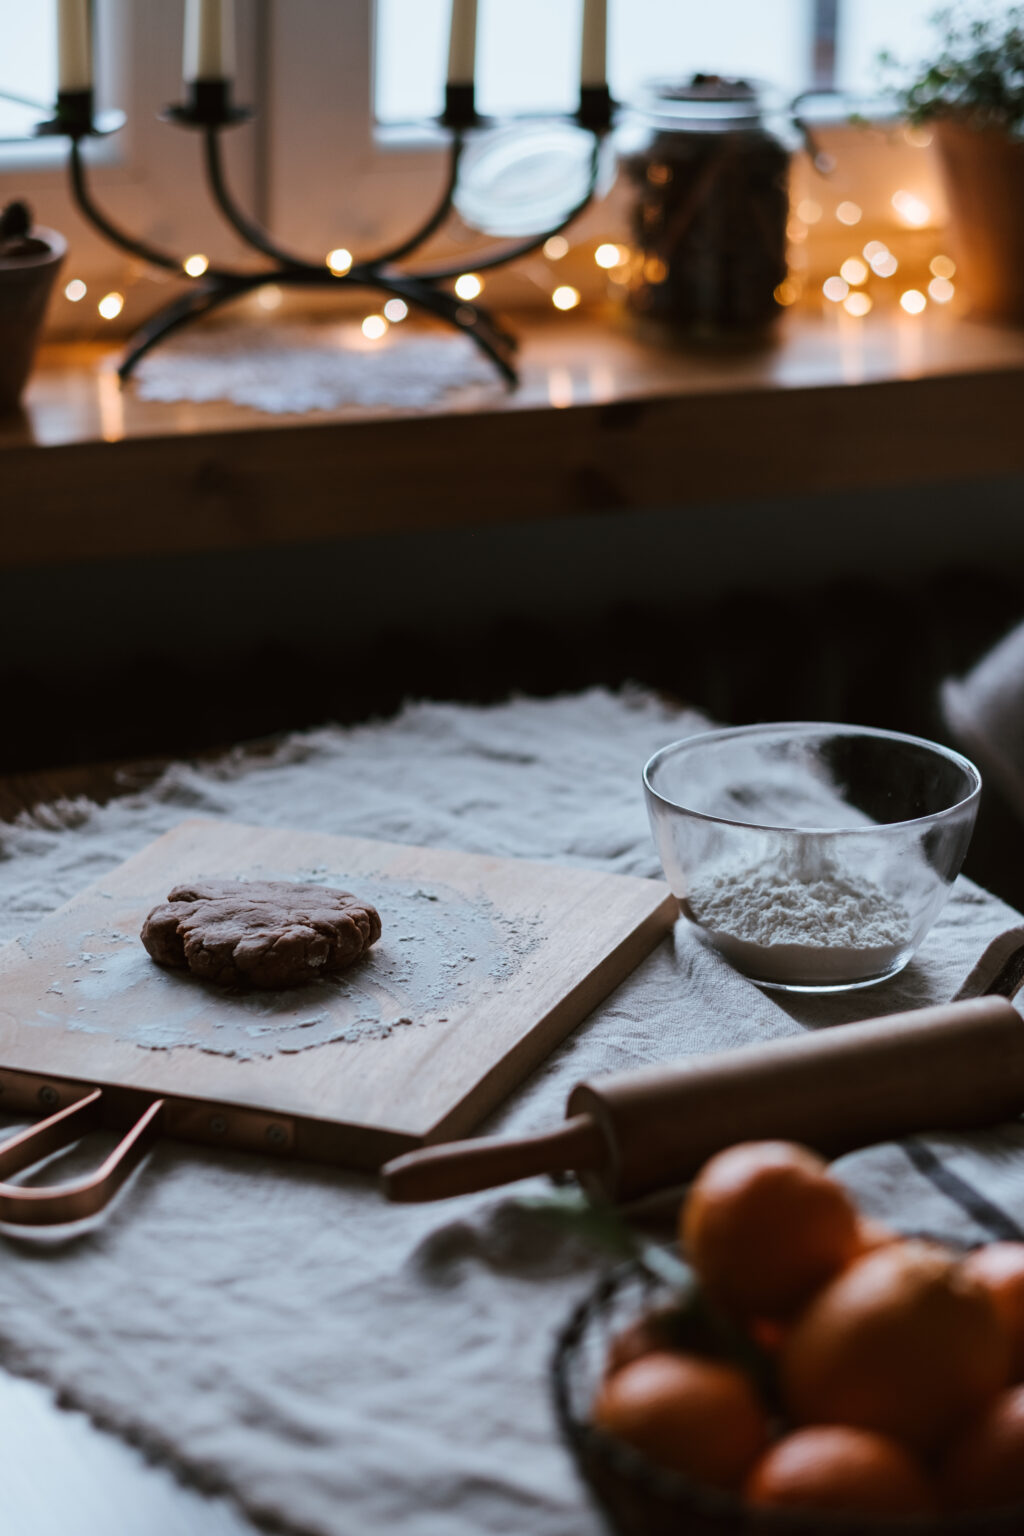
x: 529, y: 50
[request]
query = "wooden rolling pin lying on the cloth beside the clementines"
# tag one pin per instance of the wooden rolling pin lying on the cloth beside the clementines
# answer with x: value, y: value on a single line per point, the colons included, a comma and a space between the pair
x: 950, y: 1068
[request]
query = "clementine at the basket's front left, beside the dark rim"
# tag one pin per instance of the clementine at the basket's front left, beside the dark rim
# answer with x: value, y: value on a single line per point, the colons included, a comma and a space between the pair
x: 685, y: 1414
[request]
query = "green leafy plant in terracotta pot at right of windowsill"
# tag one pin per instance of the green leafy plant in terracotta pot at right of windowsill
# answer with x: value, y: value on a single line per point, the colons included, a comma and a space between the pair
x: 973, y: 98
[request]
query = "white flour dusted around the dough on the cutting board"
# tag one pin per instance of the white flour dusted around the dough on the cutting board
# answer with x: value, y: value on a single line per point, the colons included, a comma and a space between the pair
x: 435, y: 944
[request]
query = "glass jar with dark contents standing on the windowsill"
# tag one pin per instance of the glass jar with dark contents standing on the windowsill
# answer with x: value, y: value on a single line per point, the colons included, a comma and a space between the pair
x: 709, y: 170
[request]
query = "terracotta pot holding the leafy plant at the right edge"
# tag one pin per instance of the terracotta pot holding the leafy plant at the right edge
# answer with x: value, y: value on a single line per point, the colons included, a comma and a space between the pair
x: 983, y: 170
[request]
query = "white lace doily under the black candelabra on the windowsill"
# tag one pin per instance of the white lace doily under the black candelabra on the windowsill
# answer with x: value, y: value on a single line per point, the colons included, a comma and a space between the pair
x: 294, y: 369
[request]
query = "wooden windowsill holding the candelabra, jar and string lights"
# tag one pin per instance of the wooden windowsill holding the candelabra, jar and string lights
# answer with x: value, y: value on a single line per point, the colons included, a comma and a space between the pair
x: 601, y: 423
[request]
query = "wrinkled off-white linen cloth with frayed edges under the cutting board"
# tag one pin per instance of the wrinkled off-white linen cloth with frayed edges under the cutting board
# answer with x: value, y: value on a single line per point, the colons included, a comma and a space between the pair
x: 342, y: 1366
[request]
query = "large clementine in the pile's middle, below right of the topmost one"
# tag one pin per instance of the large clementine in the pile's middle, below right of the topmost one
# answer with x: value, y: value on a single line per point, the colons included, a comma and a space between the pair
x: 902, y: 1343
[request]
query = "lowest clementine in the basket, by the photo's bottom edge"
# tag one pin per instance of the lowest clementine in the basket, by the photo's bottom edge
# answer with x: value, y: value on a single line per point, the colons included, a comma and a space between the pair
x: 842, y: 1471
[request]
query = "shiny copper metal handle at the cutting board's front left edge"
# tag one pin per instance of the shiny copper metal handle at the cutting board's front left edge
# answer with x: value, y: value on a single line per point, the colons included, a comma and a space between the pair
x: 81, y: 1199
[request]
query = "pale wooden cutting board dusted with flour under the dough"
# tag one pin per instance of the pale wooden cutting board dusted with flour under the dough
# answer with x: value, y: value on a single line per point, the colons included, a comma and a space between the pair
x: 483, y: 968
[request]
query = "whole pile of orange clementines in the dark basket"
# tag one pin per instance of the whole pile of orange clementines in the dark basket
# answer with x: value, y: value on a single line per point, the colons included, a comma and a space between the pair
x: 894, y: 1369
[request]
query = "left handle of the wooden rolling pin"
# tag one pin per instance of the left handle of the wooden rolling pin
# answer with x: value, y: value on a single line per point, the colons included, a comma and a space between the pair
x: 461, y: 1168
